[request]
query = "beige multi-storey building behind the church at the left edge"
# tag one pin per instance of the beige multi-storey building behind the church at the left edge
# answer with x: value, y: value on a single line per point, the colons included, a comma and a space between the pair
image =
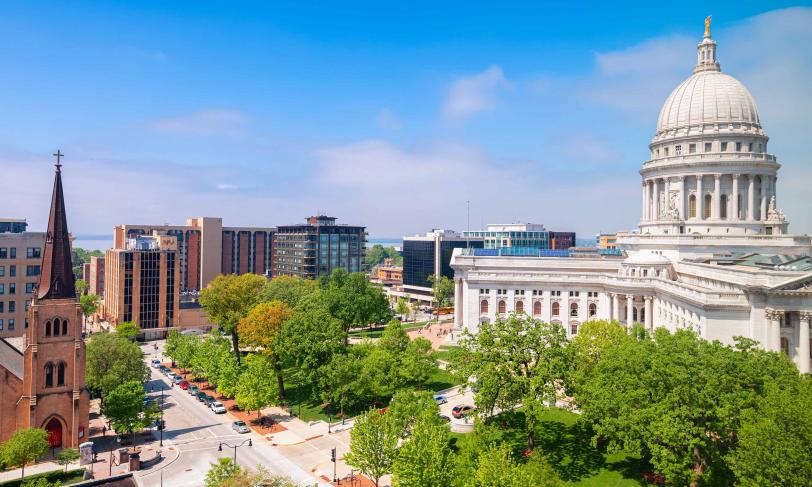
x: 20, y: 265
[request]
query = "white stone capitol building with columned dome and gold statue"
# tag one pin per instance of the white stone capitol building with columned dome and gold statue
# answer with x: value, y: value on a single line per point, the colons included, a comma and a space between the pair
x: 712, y: 251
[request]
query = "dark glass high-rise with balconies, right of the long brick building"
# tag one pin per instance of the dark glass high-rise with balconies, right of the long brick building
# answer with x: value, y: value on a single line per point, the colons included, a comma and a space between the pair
x: 318, y: 247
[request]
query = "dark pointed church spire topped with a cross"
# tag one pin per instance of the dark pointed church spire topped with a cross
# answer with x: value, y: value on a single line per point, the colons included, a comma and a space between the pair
x: 56, y: 280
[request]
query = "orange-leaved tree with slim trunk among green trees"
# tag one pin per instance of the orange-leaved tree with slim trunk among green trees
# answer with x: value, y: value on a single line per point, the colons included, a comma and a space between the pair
x: 261, y: 329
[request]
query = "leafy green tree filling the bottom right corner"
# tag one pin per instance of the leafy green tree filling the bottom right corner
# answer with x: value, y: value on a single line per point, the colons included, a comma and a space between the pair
x: 775, y: 439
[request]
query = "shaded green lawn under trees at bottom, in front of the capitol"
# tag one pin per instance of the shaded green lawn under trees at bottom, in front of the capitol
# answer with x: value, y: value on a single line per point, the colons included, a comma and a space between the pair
x: 566, y: 444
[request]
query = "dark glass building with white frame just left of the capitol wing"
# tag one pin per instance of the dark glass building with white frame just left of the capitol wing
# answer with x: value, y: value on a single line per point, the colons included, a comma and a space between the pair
x: 430, y: 254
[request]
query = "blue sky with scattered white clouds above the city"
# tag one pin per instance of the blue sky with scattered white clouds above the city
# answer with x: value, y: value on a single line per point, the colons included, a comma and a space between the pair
x: 393, y: 117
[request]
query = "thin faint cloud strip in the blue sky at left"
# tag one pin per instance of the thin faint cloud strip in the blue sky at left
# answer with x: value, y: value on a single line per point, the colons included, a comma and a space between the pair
x: 209, y: 122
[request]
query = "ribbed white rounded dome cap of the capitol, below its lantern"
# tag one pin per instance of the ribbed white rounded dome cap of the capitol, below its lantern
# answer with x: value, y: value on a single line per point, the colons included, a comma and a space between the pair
x: 708, y: 97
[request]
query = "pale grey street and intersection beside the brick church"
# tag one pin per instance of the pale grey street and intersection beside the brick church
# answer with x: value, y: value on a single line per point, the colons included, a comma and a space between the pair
x: 196, y: 432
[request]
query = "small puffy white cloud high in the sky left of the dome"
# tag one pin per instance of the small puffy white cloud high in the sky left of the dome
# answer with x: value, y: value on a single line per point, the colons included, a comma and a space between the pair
x: 473, y: 94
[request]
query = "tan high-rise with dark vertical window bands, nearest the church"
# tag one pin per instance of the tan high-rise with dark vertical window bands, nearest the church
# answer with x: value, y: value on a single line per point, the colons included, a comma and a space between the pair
x: 141, y: 284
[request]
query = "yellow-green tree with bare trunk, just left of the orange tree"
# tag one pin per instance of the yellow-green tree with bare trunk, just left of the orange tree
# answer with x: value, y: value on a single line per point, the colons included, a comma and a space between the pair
x: 228, y: 299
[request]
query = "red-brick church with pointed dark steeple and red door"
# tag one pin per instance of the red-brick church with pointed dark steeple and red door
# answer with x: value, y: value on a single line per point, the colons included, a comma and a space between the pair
x: 42, y: 373
